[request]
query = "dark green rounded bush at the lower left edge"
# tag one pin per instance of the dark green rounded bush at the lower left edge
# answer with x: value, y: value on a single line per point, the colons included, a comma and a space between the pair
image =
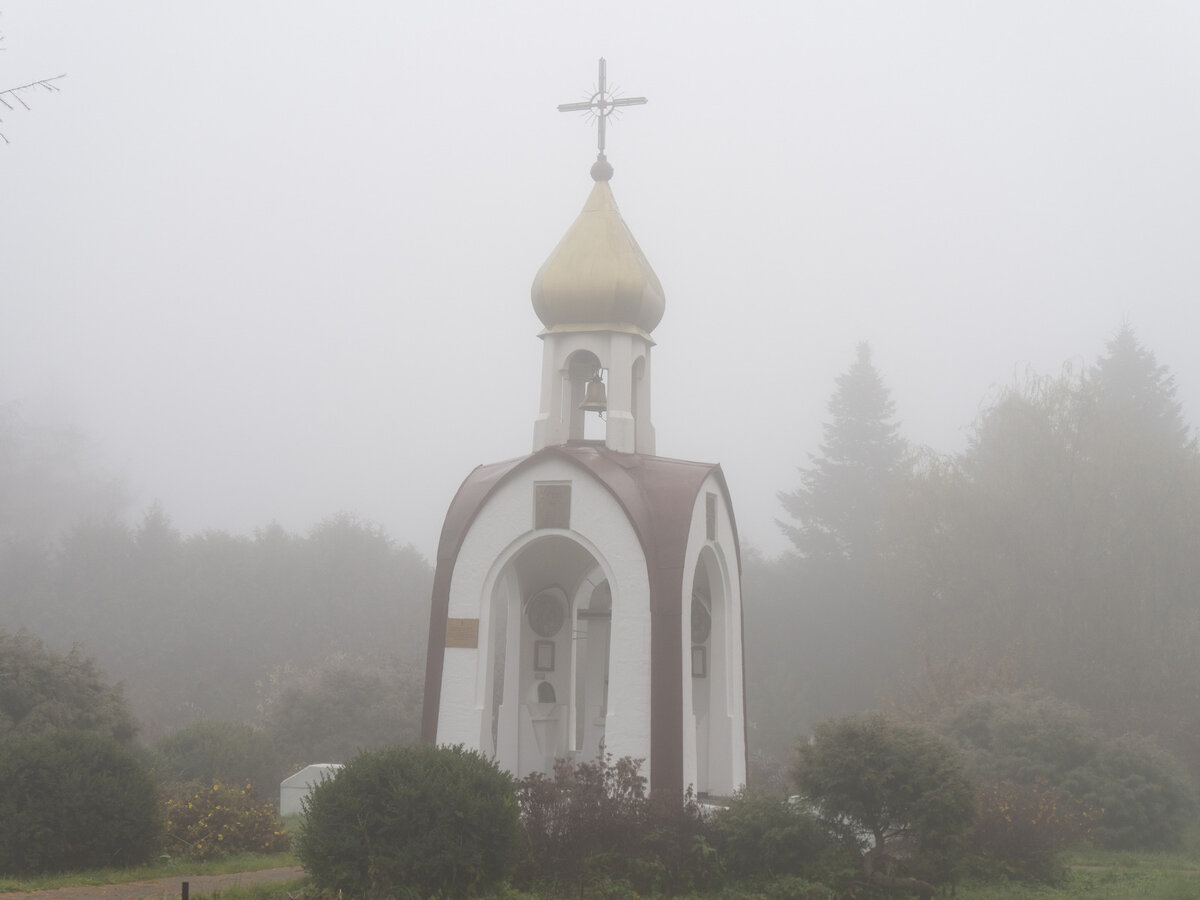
x: 75, y: 801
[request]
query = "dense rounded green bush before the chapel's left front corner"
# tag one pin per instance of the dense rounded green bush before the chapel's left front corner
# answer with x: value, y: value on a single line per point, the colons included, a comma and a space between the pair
x: 412, y: 821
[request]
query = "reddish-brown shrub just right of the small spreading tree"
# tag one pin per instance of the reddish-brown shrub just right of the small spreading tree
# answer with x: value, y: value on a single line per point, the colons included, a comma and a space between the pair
x: 1022, y: 830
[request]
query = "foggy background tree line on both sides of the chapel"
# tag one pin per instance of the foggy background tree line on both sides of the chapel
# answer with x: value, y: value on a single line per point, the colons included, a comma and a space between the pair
x: 1058, y: 551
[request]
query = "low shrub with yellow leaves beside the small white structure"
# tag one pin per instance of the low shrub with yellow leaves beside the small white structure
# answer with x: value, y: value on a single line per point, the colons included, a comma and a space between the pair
x: 205, y: 823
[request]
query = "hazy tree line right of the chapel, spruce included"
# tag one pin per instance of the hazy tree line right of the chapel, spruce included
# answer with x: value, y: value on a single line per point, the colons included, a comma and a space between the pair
x: 1059, y: 551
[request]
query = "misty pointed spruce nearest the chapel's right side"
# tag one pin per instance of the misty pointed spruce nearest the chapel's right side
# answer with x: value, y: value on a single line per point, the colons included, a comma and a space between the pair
x: 838, y: 596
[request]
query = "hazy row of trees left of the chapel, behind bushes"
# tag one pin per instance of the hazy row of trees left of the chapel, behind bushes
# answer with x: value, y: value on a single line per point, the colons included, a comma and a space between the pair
x: 218, y: 615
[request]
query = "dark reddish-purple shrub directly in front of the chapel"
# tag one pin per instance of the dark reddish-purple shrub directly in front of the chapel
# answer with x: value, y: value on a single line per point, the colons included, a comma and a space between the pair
x: 593, y: 825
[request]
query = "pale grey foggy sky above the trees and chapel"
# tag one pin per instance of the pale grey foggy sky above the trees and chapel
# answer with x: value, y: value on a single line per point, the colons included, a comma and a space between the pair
x: 275, y: 259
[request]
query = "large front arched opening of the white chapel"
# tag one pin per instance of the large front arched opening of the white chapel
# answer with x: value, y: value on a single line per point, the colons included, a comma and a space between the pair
x: 549, y: 650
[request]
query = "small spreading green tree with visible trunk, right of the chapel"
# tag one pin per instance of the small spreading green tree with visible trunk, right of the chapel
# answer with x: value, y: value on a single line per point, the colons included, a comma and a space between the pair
x: 879, y: 784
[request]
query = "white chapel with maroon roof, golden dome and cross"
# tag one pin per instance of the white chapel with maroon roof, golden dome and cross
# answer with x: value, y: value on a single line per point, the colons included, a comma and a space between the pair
x: 587, y: 597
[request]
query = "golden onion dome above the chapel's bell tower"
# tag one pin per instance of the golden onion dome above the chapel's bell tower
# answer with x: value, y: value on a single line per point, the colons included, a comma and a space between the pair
x: 598, y: 278
